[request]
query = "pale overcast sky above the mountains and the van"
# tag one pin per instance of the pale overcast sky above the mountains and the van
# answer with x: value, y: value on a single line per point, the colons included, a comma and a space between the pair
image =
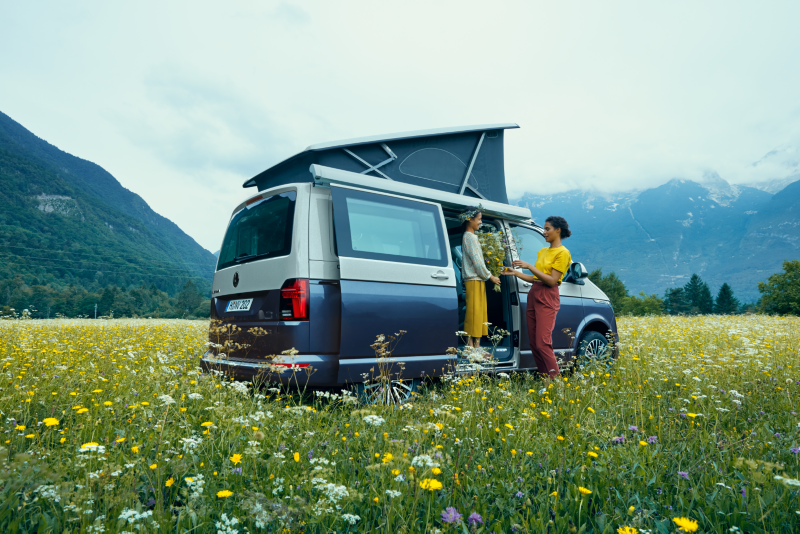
x: 184, y: 101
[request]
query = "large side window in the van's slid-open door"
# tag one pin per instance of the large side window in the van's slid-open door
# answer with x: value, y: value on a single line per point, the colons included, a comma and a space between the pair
x: 379, y: 227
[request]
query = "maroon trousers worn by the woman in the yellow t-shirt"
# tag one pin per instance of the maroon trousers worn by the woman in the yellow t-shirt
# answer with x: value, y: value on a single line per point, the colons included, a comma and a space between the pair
x: 543, y: 305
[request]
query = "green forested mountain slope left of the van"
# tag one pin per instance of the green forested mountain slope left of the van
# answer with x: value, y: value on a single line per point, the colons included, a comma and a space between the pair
x: 67, y: 221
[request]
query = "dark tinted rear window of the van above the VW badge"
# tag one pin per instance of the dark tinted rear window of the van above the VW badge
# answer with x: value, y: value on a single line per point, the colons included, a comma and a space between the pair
x: 261, y: 230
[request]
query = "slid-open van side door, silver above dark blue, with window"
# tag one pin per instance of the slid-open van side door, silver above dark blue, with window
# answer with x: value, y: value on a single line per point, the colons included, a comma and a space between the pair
x: 396, y: 273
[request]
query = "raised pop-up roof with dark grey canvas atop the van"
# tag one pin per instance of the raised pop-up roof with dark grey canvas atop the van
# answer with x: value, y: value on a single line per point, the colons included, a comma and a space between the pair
x: 464, y: 160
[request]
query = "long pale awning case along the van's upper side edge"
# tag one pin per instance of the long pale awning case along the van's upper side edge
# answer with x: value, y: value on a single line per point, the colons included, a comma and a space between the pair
x: 327, y: 176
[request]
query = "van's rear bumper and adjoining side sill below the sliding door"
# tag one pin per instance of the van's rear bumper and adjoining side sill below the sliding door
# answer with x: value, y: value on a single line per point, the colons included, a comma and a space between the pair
x: 328, y: 370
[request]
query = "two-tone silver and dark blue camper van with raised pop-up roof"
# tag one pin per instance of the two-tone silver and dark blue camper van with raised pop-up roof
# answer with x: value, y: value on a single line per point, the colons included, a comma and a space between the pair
x: 350, y: 240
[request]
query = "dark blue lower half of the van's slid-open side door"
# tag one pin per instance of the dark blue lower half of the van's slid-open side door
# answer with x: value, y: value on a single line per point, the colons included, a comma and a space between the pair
x: 428, y: 314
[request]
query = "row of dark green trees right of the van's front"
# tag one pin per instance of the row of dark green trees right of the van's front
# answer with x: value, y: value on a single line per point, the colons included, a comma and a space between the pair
x: 780, y: 294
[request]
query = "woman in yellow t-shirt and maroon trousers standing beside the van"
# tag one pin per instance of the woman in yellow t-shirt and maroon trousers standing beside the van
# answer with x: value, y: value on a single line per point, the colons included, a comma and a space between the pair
x: 543, y: 299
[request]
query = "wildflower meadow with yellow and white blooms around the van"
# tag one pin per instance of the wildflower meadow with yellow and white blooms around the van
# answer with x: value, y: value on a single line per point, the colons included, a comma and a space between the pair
x: 109, y: 426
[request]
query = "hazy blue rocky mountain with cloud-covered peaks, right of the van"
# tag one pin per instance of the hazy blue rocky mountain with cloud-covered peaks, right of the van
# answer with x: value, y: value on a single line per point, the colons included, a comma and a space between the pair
x: 657, y: 238
